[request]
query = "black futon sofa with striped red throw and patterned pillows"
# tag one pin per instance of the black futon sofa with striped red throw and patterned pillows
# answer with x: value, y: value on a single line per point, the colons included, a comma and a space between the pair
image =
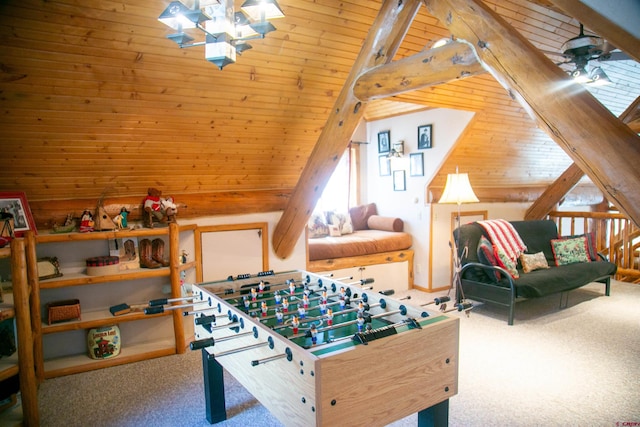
x: 550, y: 264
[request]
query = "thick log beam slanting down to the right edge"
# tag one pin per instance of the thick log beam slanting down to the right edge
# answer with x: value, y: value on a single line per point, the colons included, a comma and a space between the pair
x: 603, y: 147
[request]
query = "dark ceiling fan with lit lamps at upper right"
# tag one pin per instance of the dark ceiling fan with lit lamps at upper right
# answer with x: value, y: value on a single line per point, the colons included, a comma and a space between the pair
x: 583, y: 48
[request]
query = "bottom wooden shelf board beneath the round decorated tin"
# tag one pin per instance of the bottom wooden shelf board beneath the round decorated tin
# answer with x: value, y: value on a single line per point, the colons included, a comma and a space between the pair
x: 81, y: 362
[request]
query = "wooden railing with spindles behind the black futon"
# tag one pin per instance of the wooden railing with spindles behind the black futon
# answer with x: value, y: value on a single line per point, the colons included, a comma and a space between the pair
x: 617, y: 237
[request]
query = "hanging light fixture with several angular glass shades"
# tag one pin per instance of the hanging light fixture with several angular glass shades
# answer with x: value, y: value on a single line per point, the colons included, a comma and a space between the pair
x: 225, y: 31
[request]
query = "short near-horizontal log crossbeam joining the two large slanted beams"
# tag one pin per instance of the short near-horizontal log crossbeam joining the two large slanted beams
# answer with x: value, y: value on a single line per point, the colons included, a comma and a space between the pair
x: 453, y: 61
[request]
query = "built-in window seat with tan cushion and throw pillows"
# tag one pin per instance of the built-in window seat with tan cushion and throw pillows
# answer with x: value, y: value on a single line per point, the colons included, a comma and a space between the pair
x: 359, y: 237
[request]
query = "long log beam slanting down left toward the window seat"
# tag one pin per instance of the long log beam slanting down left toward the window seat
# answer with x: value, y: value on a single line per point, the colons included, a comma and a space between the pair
x: 379, y: 47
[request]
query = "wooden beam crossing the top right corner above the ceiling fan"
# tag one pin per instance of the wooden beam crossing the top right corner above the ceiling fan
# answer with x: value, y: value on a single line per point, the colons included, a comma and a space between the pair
x: 606, y: 21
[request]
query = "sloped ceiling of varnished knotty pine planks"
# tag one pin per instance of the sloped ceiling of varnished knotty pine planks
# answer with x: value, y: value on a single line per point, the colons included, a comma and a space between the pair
x: 95, y: 100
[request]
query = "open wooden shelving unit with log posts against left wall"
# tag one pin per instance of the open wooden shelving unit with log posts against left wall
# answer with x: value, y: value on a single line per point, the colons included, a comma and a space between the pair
x: 122, y: 285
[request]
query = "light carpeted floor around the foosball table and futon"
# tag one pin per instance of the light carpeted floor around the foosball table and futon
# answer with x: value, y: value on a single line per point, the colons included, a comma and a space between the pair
x: 579, y: 366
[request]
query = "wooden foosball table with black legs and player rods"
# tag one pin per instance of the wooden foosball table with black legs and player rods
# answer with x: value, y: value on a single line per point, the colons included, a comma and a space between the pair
x: 325, y: 352
